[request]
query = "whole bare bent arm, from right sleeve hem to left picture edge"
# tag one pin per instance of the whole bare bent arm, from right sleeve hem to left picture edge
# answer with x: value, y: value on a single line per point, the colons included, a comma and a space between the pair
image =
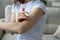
x: 24, y: 26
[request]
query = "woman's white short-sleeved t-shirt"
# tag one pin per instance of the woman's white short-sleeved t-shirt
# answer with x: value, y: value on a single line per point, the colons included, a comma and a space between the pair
x: 35, y: 33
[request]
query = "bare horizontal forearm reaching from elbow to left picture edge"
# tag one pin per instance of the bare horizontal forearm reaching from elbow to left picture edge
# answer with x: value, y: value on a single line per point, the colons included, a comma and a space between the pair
x: 9, y: 26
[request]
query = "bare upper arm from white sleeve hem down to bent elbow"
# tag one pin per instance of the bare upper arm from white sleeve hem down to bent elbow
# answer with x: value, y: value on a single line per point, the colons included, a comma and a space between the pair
x: 28, y: 24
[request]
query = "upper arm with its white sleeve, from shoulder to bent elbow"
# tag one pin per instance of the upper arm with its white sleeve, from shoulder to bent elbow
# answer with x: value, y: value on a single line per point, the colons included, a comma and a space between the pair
x: 37, y: 12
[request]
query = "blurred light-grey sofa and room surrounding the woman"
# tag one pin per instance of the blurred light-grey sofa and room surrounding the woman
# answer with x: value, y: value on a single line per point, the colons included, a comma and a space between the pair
x: 52, y: 24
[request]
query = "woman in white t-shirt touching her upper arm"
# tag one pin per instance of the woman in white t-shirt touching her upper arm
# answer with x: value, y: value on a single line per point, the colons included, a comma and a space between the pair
x: 28, y: 19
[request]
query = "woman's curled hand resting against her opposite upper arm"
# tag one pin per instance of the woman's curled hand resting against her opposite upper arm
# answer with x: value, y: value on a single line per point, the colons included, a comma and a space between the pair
x: 23, y: 15
